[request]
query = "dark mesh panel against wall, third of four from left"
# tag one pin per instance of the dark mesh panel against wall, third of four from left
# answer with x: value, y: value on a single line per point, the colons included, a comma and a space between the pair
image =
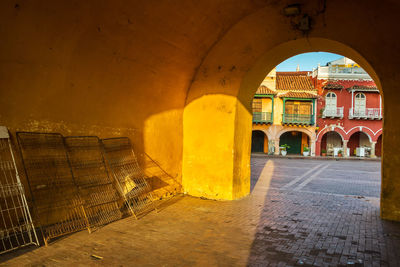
x: 96, y: 189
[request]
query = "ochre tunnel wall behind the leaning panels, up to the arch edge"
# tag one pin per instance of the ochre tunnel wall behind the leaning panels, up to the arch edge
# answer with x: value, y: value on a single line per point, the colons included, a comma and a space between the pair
x: 107, y: 68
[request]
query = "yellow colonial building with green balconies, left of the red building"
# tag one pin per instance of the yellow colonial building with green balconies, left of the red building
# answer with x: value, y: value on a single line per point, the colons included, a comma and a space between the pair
x: 284, y: 113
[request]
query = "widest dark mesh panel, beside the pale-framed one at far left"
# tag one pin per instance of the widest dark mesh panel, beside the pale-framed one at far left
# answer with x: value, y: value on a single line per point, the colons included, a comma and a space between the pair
x: 58, y: 207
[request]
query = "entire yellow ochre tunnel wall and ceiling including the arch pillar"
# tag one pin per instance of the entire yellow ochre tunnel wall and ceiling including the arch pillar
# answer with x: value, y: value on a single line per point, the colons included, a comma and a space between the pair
x: 178, y: 77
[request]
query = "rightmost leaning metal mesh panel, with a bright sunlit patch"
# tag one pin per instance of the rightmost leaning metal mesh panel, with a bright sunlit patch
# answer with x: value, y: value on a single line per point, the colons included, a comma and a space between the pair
x: 130, y: 178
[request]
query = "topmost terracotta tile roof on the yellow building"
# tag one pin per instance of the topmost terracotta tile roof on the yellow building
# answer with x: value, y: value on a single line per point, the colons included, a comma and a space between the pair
x: 293, y: 82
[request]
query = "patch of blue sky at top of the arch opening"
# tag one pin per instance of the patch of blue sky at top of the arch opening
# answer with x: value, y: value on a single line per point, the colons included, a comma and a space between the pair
x: 307, y: 61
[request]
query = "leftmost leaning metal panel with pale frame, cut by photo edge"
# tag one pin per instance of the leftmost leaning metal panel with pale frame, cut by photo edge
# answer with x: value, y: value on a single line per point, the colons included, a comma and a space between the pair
x: 16, y: 227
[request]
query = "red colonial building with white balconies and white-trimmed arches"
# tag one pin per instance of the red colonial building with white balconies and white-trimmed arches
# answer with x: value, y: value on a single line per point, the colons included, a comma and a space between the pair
x: 349, y: 110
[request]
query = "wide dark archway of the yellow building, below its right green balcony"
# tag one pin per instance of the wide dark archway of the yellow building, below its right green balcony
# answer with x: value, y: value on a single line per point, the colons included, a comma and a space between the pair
x: 295, y: 140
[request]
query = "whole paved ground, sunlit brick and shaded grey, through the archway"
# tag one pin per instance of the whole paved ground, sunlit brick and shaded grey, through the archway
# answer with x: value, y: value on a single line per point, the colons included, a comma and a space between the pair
x: 300, y: 212
